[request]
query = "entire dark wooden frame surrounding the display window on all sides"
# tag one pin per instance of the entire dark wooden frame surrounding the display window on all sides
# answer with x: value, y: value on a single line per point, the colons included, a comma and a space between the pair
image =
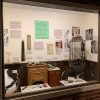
x: 54, y: 92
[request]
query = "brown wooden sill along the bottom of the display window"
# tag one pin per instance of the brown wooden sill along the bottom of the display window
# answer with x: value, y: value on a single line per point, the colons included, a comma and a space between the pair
x: 53, y: 93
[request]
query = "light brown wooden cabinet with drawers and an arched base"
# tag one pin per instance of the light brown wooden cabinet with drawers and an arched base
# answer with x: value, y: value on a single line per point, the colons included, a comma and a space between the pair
x: 37, y: 73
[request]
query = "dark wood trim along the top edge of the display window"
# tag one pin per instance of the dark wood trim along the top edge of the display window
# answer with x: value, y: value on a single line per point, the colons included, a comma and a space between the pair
x: 58, y: 5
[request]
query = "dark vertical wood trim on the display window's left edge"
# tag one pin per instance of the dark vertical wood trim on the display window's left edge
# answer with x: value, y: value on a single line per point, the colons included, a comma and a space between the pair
x: 1, y: 55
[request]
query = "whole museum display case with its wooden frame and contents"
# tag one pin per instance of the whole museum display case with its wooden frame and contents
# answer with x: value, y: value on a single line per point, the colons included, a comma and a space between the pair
x: 39, y: 59
